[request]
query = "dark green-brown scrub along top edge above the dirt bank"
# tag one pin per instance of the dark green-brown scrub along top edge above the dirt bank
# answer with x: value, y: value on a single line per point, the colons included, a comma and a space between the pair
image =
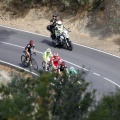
x: 24, y: 5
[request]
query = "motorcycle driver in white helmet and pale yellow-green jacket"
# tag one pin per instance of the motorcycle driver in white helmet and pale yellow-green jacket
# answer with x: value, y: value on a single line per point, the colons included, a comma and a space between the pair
x: 59, y: 28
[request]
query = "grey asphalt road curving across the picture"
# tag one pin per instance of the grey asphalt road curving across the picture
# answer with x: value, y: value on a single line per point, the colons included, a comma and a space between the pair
x: 102, y: 69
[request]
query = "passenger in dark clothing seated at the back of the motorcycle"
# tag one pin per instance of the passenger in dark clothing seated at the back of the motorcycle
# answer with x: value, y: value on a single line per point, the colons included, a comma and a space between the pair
x: 52, y: 26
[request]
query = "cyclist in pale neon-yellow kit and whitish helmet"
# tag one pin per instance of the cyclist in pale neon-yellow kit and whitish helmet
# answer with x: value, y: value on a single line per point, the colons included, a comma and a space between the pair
x: 47, y: 55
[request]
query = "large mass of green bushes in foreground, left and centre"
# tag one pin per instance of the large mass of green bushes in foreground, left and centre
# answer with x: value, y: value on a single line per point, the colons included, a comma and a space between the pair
x: 45, y: 97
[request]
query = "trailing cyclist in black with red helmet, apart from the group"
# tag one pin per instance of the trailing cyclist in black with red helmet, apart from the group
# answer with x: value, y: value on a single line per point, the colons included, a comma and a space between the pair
x: 28, y: 49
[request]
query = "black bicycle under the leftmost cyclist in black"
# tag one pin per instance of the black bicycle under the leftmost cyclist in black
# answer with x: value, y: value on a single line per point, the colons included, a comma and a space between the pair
x: 32, y: 62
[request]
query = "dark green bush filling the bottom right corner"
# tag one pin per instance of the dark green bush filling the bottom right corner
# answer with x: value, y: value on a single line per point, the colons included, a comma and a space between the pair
x: 107, y: 109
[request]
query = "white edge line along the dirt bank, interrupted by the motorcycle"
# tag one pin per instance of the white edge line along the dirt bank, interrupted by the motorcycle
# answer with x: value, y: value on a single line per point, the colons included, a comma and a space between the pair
x: 49, y: 36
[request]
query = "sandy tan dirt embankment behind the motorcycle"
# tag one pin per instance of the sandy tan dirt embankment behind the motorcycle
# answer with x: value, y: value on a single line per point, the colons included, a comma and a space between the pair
x: 90, y: 29
